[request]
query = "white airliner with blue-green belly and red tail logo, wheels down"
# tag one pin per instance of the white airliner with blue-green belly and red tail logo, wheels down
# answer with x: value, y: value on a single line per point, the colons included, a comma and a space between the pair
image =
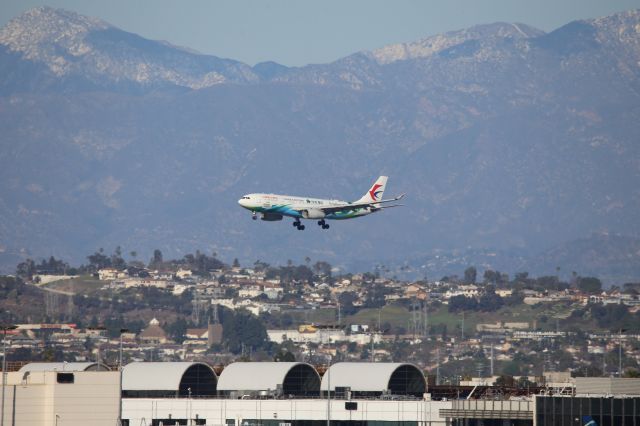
x: 274, y: 207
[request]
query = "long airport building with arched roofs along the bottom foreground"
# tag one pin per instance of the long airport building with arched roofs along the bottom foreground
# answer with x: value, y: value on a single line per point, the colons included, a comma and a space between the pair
x: 296, y: 394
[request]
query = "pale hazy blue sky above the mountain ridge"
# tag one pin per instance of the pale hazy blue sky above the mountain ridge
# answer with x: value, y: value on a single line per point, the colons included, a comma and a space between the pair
x: 298, y: 32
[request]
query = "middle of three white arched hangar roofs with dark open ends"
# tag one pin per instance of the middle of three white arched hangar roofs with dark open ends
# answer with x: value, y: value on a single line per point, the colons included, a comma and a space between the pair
x: 295, y: 378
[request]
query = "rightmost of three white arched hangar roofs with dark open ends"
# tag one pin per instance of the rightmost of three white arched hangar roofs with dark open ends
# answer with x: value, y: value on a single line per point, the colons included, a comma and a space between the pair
x: 398, y: 378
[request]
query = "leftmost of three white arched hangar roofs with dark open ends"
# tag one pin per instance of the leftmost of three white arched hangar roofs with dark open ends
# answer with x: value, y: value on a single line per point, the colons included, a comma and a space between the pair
x: 169, y: 376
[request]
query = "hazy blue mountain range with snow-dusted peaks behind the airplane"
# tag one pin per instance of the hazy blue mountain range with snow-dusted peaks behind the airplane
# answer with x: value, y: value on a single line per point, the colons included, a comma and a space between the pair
x: 504, y: 137
